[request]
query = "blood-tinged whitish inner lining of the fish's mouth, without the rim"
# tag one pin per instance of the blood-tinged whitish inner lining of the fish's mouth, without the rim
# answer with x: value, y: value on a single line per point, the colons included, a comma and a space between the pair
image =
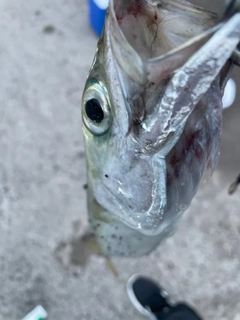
x: 155, y: 28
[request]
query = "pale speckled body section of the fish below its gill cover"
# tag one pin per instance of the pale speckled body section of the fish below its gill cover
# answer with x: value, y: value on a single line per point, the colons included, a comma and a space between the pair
x: 115, y: 238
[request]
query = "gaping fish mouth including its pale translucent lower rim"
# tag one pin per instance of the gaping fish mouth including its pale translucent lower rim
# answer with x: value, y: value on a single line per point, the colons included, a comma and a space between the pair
x: 156, y: 38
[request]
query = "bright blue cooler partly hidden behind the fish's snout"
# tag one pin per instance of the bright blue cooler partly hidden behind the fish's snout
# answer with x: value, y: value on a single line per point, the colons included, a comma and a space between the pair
x: 97, y: 12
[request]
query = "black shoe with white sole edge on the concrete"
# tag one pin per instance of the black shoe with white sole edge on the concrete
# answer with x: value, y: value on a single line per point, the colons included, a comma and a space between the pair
x: 153, y: 301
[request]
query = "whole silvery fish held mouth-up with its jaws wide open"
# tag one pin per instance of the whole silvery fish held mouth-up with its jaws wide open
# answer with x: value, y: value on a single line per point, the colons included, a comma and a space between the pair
x: 151, y: 114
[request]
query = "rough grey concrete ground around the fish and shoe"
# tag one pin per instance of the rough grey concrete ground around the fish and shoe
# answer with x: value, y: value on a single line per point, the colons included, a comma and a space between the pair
x: 46, y: 48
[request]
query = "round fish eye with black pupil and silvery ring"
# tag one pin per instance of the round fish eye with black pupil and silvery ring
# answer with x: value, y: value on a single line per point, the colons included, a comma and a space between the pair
x: 95, y: 109
